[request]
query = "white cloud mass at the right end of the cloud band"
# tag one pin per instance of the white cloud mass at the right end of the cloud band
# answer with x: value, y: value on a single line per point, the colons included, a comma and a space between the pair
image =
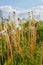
x: 38, y: 12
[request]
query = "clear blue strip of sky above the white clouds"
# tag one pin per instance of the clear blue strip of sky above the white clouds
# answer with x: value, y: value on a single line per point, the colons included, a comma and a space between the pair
x: 21, y: 4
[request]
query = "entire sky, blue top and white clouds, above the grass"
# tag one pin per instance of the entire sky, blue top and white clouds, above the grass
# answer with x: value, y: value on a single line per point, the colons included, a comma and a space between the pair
x: 22, y: 6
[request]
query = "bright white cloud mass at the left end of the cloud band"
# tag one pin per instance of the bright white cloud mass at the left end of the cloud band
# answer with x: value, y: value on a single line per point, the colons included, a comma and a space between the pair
x: 6, y: 10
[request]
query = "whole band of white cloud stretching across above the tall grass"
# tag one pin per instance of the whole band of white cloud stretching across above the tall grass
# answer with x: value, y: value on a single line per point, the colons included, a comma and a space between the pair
x: 37, y: 10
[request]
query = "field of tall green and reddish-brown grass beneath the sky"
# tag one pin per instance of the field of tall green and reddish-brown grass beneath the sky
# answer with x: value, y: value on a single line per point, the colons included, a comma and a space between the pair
x: 22, y: 45
